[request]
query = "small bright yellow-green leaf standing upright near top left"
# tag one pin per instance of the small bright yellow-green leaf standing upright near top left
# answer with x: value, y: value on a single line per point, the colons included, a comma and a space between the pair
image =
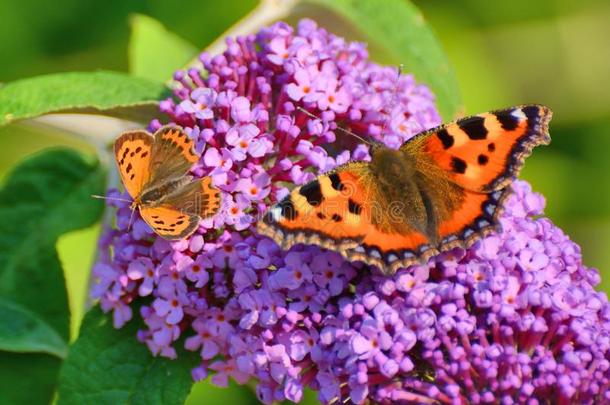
x: 154, y: 52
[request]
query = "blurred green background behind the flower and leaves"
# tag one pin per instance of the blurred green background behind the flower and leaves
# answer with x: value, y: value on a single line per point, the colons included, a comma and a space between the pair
x: 546, y: 51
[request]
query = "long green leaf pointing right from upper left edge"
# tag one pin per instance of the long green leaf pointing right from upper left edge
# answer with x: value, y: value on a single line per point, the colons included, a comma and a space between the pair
x: 113, y: 93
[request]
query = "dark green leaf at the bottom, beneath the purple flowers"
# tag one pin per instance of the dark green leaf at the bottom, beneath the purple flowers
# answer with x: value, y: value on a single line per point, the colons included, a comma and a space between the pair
x: 110, y: 366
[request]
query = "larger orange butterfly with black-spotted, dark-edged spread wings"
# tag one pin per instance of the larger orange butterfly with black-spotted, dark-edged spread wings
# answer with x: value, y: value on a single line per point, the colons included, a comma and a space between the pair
x: 443, y: 188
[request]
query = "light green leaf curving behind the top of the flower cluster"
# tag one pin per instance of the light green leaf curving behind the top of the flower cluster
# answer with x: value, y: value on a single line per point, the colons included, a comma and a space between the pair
x: 396, y: 33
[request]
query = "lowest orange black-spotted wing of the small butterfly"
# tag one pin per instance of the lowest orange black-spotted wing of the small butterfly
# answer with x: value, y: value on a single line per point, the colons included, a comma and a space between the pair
x: 169, y: 222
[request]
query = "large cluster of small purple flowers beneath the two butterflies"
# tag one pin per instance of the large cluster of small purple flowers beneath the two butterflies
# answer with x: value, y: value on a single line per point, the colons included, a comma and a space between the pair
x: 515, y: 318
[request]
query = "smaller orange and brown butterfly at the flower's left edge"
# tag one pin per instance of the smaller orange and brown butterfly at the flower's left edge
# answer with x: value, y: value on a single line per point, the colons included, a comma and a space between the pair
x: 154, y: 170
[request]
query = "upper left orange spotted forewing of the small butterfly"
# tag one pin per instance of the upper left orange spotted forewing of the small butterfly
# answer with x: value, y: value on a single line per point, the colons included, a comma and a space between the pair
x: 133, y: 151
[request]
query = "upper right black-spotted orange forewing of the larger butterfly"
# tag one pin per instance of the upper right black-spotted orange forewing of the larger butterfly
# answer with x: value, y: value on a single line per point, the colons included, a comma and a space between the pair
x: 485, y: 152
